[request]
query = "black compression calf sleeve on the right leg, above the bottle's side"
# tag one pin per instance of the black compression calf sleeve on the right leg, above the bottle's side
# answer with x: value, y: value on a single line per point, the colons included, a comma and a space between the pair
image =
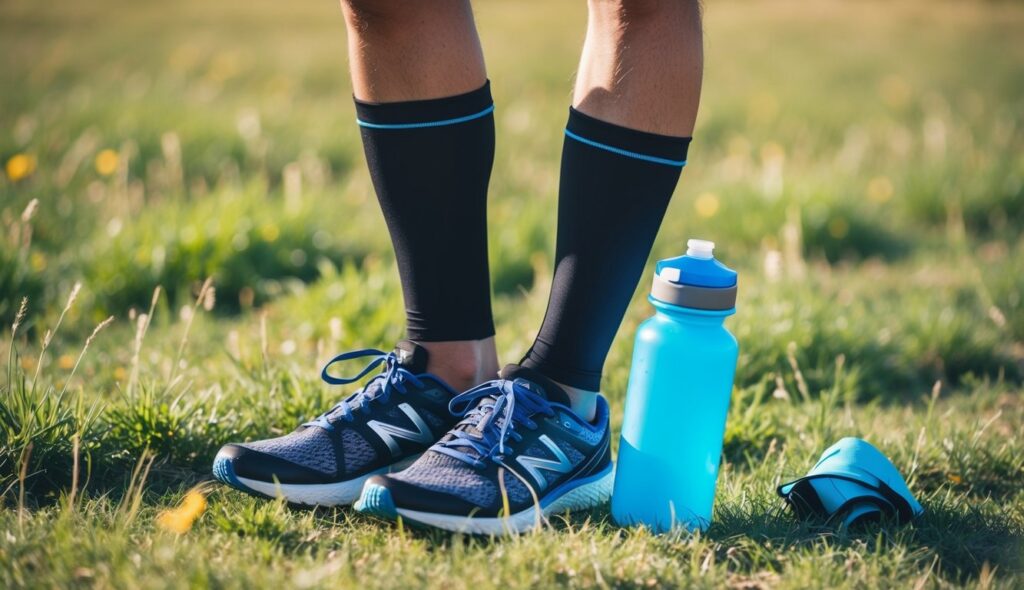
x: 616, y: 186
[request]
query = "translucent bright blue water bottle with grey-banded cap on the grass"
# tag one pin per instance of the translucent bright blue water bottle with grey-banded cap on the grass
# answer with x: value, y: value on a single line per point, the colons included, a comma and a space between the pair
x: 685, y: 361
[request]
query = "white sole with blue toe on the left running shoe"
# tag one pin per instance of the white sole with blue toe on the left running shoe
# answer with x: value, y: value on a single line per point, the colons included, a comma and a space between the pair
x: 338, y: 494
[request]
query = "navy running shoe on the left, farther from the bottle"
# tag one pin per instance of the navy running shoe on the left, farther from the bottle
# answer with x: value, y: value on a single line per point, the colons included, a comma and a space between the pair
x: 382, y: 428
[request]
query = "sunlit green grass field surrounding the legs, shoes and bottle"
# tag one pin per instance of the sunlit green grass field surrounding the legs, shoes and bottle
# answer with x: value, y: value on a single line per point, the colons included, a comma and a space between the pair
x: 861, y: 163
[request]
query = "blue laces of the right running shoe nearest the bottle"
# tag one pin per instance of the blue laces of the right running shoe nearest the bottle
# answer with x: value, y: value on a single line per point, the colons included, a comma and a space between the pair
x: 514, y: 405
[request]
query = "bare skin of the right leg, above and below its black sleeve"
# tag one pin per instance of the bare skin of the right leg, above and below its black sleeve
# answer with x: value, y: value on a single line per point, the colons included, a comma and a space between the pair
x: 642, y: 68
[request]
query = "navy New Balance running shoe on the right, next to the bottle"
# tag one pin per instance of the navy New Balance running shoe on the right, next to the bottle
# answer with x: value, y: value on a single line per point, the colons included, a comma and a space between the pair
x: 519, y: 455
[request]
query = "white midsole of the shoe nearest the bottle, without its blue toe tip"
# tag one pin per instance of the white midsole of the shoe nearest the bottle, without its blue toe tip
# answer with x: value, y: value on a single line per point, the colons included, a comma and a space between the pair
x: 586, y: 496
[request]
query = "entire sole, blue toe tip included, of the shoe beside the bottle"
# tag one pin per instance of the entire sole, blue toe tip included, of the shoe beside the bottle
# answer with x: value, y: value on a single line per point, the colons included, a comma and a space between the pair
x: 579, y: 495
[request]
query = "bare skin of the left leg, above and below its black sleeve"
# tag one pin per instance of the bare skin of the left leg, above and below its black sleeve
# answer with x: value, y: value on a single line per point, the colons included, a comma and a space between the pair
x: 401, y: 52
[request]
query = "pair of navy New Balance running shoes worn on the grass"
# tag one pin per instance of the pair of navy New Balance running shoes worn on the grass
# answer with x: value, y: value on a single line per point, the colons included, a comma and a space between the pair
x: 497, y: 459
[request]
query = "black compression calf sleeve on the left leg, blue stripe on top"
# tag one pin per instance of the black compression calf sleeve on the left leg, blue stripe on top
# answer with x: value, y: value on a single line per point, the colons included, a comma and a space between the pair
x: 431, y: 163
